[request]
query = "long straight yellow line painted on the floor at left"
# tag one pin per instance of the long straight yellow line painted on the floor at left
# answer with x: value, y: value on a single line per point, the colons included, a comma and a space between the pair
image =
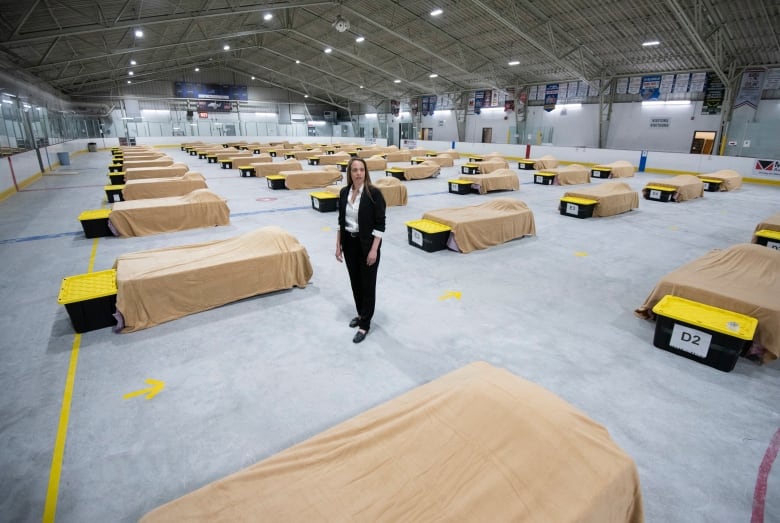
x: 50, y: 508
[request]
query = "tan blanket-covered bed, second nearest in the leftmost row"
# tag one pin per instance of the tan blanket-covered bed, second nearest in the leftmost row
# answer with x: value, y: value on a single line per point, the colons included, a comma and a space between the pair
x: 200, y: 208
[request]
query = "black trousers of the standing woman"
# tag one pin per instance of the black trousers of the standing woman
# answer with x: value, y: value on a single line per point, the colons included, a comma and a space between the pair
x: 361, y: 277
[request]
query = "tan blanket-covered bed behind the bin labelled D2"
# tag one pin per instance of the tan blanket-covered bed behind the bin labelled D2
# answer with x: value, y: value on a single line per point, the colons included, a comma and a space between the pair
x: 742, y: 278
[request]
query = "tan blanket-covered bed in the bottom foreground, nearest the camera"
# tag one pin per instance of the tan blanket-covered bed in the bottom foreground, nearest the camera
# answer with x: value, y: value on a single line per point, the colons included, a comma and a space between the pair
x: 478, y: 444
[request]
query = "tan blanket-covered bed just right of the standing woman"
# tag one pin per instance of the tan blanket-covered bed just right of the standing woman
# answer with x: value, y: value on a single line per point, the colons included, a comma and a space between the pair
x: 487, y: 224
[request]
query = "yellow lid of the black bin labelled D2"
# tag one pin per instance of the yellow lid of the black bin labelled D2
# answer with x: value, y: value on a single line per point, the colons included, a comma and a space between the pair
x: 706, y: 316
